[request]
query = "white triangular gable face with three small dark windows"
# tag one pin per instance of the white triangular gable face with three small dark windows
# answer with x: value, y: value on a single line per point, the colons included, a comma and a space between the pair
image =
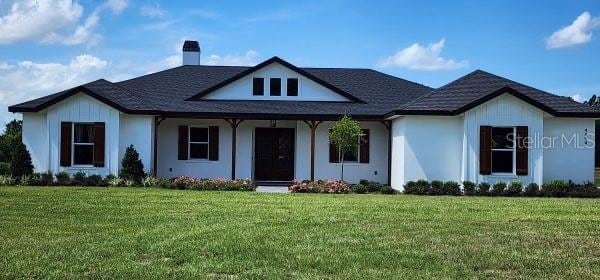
x: 308, y: 90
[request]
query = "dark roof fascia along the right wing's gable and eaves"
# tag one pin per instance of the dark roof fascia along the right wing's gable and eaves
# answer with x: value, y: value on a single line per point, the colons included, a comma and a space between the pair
x: 491, y: 96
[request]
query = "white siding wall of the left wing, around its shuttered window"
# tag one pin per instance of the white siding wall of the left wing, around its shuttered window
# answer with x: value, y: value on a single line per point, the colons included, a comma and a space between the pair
x: 41, y: 134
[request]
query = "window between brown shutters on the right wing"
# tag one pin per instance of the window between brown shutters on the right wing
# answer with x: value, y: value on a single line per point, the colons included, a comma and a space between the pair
x: 503, y: 149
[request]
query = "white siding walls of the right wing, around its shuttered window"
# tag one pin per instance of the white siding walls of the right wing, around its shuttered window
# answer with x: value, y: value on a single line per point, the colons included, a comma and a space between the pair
x: 447, y: 148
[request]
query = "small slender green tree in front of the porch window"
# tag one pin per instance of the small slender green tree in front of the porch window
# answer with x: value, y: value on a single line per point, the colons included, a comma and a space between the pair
x: 345, y: 134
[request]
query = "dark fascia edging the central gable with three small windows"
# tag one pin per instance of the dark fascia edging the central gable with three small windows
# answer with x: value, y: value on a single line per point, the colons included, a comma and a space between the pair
x: 268, y: 62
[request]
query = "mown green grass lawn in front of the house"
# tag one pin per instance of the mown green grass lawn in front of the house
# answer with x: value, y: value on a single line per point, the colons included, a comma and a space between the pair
x: 154, y: 233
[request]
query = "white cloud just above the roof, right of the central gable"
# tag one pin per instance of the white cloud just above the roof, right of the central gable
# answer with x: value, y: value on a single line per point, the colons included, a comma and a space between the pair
x: 417, y: 57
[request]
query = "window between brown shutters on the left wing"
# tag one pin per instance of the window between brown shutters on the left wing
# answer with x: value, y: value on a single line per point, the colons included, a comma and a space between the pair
x: 83, y: 144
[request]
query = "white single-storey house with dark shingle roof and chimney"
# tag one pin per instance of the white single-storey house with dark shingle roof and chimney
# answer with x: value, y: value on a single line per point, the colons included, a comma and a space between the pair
x: 270, y: 123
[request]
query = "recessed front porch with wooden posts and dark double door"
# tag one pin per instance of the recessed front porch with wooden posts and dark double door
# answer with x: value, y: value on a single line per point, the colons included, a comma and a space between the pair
x: 262, y: 150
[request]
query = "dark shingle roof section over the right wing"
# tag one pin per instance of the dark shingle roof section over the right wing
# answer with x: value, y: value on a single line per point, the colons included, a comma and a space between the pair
x: 479, y: 86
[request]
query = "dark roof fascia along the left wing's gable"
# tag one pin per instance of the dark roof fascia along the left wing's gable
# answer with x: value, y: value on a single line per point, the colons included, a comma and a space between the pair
x: 73, y: 91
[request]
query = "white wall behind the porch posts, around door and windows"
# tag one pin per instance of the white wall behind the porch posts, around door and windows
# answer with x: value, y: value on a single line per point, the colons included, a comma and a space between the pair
x: 169, y: 165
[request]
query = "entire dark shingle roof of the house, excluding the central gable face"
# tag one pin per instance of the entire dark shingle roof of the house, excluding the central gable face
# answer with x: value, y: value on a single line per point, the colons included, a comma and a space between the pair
x: 375, y: 95
